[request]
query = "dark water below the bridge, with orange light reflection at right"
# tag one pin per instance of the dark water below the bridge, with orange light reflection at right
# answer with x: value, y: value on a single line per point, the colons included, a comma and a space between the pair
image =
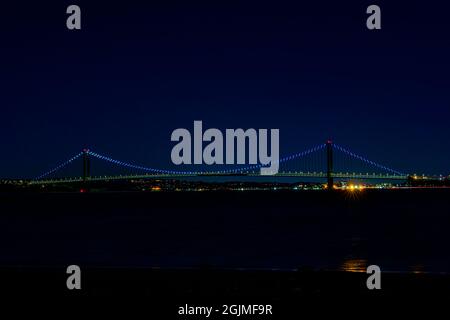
x: 399, y: 230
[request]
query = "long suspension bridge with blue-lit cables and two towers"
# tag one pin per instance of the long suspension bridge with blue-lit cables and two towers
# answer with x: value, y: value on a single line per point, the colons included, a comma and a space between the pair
x: 327, y: 161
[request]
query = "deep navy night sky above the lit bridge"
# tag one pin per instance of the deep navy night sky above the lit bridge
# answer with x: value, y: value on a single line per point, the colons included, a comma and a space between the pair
x: 136, y: 72
